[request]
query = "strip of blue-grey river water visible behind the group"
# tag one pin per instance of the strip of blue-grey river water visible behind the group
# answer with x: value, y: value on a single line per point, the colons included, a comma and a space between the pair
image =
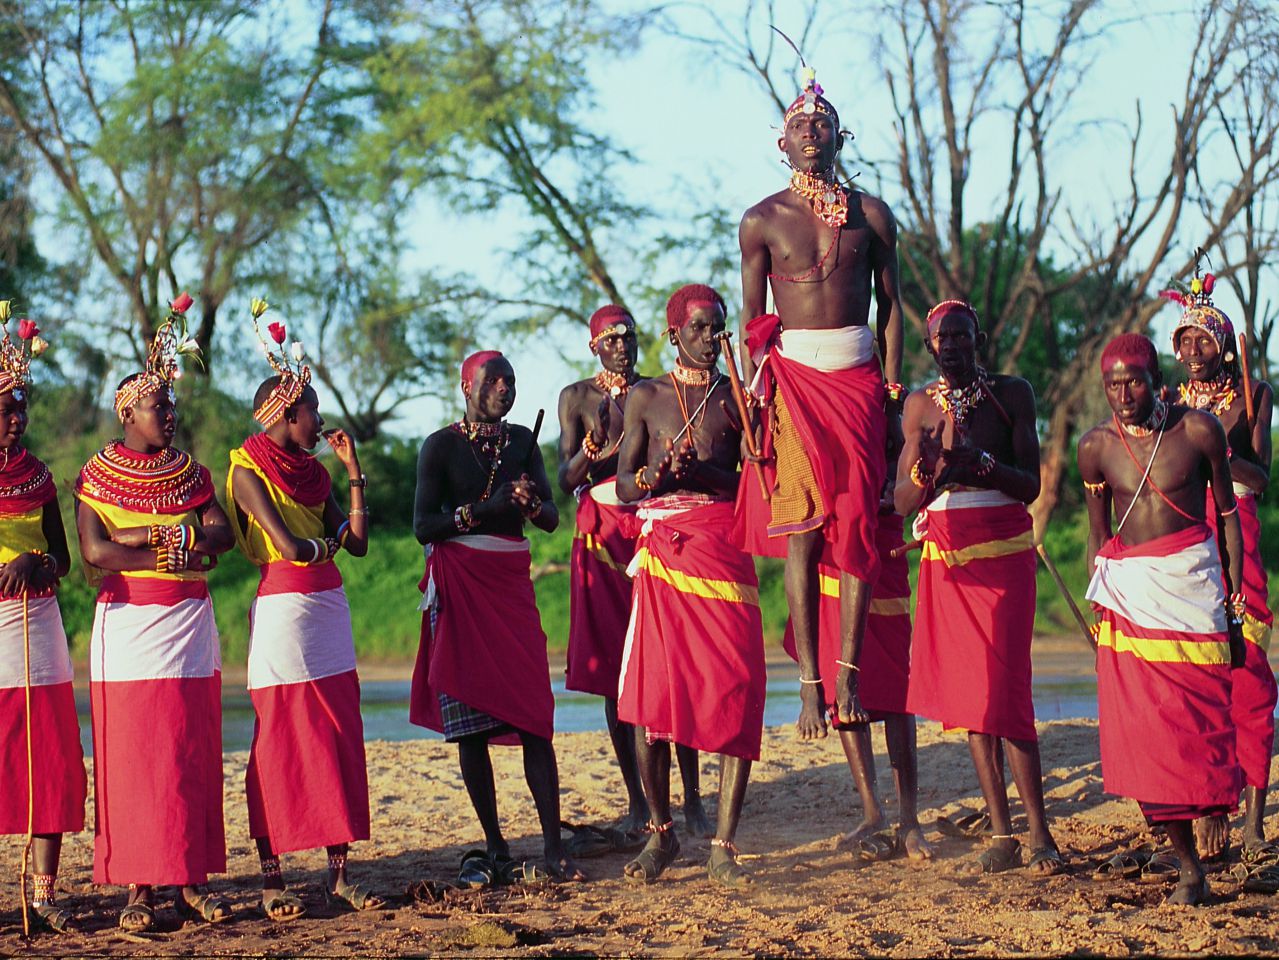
x: 384, y: 705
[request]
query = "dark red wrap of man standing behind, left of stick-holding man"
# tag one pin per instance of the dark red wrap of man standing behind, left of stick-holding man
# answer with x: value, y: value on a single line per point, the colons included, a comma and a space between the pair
x: 599, y: 596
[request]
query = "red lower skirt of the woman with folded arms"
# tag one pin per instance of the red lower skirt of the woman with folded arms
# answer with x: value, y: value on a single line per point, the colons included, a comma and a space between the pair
x: 158, y: 800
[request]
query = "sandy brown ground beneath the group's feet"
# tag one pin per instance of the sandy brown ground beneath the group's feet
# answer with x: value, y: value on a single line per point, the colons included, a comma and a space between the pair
x: 810, y: 898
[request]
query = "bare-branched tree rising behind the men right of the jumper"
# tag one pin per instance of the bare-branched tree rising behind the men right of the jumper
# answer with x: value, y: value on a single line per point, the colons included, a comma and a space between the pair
x: 975, y: 84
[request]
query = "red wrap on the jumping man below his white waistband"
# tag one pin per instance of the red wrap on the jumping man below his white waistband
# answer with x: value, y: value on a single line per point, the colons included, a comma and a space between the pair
x: 841, y: 419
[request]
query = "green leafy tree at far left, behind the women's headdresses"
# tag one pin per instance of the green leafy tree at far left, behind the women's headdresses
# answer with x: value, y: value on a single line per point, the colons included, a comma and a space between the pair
x: 178, y: 135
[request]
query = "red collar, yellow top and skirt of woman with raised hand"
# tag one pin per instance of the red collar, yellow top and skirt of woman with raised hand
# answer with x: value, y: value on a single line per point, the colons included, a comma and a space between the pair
x: 308, y: 783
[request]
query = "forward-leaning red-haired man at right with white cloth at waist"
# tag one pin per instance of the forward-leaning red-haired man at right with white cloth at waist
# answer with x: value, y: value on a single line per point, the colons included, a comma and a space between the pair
x: 1170, y: 617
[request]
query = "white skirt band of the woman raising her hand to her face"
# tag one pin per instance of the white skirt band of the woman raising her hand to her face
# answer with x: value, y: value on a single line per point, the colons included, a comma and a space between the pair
x: 300, y: 637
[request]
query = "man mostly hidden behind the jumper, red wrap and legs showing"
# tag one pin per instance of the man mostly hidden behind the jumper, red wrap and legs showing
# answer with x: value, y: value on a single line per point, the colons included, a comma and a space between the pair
x: 886, y: 665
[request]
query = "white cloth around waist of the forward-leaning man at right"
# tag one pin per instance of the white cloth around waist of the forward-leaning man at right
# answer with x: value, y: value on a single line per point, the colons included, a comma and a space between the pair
x: 1180, y: 592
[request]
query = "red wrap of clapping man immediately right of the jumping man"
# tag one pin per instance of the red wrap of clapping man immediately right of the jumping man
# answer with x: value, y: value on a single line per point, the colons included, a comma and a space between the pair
x: 971, y: 650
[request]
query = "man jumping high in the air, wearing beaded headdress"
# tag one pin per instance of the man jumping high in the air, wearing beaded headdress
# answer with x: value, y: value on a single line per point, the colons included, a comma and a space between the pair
x: 826, y: 250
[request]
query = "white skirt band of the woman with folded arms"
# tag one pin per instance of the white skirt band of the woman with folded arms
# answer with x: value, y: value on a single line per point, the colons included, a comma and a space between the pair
x: 154, y: 641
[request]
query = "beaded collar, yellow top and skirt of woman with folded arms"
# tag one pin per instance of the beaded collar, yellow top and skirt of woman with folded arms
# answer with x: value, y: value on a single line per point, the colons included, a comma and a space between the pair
x: 155, y: 686
